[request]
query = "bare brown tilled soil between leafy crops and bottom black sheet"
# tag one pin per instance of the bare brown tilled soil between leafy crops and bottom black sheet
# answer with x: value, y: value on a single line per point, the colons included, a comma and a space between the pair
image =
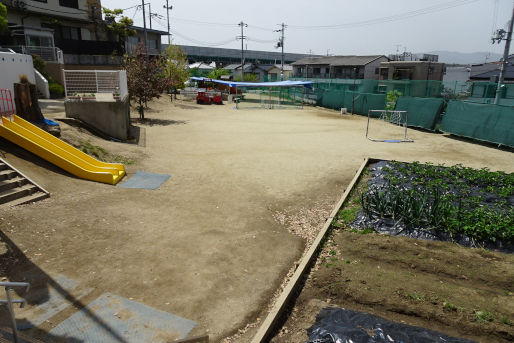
x: 442, y: 286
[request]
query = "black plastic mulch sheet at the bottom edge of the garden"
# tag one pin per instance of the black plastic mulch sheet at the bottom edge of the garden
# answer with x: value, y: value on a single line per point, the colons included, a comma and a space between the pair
x: 337, y: 325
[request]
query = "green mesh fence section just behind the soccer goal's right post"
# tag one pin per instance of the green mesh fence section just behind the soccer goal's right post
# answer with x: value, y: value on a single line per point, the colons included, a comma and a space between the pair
x: 422, y: 112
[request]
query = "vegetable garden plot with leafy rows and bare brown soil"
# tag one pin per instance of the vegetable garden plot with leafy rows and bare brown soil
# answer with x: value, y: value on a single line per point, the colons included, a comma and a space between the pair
x: 431, y: 282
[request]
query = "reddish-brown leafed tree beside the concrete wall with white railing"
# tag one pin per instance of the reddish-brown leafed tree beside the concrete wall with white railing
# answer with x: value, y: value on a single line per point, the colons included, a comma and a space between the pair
x: 145, y: 78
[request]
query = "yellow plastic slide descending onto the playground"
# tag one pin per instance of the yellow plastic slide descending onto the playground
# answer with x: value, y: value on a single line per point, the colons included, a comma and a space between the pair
x: 63, y: 155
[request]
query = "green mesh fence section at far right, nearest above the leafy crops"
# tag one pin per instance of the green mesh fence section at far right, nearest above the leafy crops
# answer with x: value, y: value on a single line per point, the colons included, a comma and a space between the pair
x: 491, y: 123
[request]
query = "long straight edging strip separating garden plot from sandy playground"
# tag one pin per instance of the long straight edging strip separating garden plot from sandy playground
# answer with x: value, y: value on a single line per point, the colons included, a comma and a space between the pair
x: 268, y: 325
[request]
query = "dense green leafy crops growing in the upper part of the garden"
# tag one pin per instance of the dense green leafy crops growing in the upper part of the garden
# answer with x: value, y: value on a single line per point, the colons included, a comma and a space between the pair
x: 452, y: 199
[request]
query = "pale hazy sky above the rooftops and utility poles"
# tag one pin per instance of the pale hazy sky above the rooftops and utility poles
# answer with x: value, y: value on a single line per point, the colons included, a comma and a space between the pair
x: 334, y: 27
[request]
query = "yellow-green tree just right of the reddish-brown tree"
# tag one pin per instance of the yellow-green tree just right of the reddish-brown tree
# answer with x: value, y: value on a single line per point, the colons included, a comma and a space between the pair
x: 174, y: 65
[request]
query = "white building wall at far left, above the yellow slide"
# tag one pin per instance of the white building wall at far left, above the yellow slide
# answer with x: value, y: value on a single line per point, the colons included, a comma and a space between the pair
x: 12, y: 66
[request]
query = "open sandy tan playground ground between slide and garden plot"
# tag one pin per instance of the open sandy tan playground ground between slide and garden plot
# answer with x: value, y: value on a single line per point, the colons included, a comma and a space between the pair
x: 215, y: 241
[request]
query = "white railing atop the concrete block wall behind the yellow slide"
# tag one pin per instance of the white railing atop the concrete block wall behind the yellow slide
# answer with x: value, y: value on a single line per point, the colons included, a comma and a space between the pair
x: 87, y: 83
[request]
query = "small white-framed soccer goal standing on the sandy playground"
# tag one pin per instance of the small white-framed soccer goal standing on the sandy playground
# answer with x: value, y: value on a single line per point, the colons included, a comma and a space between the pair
x: 387, y: 126
